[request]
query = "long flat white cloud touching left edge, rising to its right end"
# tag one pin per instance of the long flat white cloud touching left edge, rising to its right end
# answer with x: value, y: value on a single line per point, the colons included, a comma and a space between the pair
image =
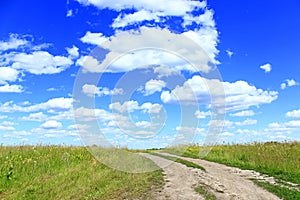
x: 52, y: 106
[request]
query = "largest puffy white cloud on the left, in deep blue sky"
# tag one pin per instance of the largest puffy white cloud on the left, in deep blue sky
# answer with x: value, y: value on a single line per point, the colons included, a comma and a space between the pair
x: 41, y: 62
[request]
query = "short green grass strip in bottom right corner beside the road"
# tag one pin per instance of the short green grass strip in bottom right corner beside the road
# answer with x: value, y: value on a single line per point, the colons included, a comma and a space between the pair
x: 281, y: 192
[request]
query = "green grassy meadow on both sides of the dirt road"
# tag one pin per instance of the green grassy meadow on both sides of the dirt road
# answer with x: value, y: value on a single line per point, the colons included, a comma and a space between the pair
x: 59, y: 172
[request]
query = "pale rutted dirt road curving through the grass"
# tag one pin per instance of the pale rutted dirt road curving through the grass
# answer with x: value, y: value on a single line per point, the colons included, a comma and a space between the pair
x: 226, y: 183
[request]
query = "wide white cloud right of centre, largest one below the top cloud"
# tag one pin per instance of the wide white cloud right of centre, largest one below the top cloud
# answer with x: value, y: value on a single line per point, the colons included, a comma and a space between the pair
x: 239, y: 95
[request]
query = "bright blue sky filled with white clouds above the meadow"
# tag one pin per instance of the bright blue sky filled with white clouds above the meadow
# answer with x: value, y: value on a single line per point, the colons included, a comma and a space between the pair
x: 144, y: 74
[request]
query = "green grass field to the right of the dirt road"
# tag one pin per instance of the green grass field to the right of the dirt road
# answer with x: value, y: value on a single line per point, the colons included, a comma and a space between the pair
x: 280, y: 160
